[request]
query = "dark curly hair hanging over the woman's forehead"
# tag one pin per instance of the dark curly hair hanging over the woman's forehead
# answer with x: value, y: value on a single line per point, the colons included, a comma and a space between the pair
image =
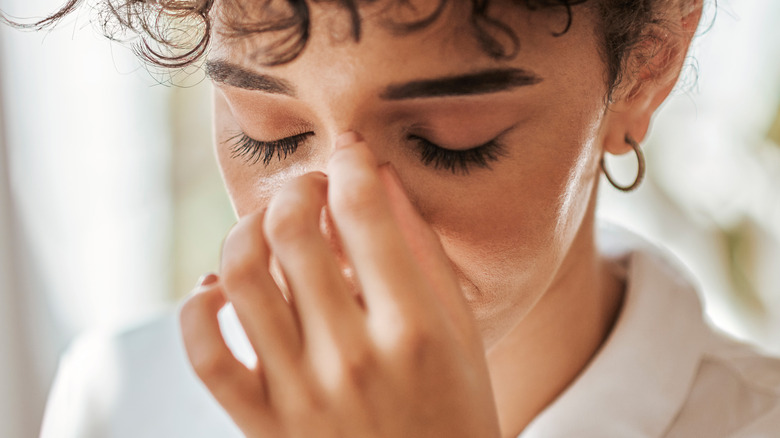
x: 177, y: 33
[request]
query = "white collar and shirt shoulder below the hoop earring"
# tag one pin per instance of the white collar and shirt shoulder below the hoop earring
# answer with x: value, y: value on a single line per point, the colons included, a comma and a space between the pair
x: 664, y: 371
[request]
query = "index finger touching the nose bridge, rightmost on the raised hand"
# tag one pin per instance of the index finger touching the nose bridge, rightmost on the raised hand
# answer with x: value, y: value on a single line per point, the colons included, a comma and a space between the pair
x: 360, y: 208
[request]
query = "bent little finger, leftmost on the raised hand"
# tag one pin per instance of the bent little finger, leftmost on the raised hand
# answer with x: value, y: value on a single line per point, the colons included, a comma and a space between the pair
x: 239, y: 390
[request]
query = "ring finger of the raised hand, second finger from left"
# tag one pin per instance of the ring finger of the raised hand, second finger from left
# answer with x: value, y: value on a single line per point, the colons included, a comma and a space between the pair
x: 269, y: 321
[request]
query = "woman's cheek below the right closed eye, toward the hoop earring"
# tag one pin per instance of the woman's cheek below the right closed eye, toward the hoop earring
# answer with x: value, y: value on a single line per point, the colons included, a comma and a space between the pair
x: 510, y: 228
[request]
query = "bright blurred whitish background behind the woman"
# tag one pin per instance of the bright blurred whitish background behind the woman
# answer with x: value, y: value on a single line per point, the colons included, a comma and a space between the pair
x: 111, y: 204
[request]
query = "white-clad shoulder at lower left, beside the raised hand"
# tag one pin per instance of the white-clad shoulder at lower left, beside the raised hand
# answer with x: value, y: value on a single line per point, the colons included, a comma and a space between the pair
x: 132, y: 383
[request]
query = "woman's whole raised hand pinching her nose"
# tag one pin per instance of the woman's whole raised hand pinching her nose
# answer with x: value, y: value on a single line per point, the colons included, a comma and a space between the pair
x: 405, y: 361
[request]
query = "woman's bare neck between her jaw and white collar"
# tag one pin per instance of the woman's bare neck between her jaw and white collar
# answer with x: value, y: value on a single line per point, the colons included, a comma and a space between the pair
x: 544, y: 353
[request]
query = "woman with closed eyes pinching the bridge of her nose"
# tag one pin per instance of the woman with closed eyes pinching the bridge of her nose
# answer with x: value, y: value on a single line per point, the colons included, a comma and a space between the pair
x: 416, y: 252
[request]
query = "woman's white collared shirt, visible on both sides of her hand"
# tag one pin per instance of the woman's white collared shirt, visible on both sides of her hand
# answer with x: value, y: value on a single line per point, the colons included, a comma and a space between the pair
x: 663, y: 372
